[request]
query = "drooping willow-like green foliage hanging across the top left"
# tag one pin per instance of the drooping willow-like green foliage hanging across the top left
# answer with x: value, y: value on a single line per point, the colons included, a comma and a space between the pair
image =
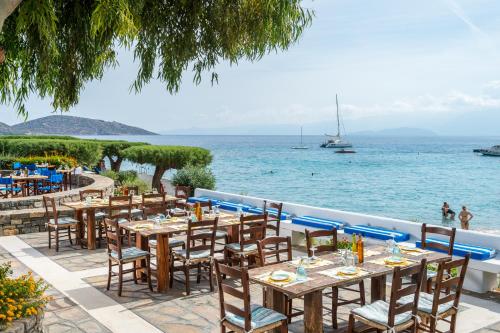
x: 53, y: 48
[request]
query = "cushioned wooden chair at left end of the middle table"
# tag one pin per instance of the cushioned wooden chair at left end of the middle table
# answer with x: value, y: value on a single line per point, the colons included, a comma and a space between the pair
x: 118, y: 256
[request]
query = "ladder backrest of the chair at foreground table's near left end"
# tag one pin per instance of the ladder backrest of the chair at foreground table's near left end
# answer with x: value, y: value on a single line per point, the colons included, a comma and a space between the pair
x: 226, y: 287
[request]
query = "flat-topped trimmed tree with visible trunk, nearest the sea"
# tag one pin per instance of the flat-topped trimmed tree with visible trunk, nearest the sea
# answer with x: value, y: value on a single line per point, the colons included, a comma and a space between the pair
x: 164, y: 158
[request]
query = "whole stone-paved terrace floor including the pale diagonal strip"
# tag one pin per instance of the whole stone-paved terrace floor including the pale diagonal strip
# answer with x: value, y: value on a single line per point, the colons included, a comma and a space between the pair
x: 82, y: 304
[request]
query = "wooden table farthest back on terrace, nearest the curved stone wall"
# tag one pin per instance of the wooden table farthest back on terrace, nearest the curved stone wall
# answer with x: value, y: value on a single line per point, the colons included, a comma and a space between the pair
x: 98, y: 204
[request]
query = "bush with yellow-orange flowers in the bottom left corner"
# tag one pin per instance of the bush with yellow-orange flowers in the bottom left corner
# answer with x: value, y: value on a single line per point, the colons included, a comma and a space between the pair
x: 20, y: 297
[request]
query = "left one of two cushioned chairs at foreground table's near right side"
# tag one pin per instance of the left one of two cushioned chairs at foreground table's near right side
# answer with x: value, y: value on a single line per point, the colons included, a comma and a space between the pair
x: 393, y: 316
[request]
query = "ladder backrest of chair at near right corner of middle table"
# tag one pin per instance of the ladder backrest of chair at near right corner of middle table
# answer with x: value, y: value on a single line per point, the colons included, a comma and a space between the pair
x: 201, y: 236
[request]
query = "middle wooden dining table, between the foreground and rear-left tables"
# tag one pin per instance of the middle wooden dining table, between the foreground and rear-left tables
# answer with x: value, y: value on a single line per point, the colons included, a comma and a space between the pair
x: 162, y: 232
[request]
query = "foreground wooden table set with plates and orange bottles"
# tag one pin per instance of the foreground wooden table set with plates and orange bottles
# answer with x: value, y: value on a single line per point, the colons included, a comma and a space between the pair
x: 312, y: 290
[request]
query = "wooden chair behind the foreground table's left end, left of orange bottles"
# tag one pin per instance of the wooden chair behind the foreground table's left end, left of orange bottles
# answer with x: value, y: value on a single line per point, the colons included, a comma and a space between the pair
x: 274, y: 250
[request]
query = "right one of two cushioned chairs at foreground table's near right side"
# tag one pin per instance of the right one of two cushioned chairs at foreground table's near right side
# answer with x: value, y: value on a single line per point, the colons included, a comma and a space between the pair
x: 445, y: 299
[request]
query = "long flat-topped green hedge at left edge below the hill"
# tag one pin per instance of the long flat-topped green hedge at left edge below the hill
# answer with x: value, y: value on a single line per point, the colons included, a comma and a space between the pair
x: 84, y: 152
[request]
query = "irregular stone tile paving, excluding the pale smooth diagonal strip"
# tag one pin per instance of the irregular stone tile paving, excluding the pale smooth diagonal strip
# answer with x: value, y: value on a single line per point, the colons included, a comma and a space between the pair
x: 199, y: 312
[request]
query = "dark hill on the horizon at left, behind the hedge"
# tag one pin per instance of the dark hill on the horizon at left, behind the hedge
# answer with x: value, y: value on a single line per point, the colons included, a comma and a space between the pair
x: 70, y: 125
